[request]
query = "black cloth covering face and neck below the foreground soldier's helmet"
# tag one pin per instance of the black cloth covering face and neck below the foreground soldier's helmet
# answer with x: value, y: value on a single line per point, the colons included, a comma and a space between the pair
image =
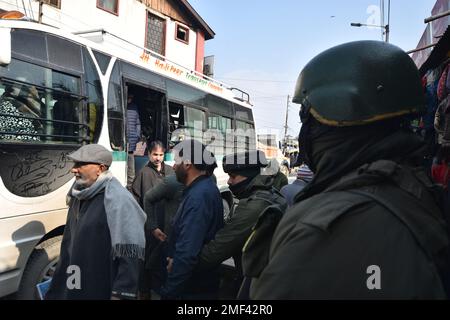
x: 332, y: 152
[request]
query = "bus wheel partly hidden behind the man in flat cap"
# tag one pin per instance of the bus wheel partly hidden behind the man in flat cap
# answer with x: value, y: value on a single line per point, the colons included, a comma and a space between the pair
x: 40, y: 267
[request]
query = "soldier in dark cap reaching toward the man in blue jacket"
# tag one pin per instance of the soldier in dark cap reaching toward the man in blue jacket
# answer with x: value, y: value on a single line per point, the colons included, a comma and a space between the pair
x: 255, y: 193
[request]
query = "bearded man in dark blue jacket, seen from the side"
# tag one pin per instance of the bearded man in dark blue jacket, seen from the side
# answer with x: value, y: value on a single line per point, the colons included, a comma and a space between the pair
x: 196, y: 222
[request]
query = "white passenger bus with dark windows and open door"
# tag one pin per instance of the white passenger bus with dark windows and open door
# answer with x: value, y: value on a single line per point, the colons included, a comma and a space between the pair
x: 60, y: 91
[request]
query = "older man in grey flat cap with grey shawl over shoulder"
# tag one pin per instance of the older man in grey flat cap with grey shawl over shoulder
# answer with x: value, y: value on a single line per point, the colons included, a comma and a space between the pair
x: 103, y: 240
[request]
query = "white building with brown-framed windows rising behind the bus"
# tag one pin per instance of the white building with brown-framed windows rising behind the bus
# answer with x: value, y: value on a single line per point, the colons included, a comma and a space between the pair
x: 171, y: 28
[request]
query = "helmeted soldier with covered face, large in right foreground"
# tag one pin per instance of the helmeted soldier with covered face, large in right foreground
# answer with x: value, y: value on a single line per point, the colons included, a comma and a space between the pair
x: 369, y: 225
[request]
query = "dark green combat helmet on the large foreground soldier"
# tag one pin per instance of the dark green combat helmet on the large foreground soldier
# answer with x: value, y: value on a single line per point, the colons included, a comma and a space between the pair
x: 358, y: 83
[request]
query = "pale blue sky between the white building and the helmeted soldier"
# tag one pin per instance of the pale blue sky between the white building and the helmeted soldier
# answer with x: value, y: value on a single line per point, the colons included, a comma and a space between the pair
x: 261, y: 46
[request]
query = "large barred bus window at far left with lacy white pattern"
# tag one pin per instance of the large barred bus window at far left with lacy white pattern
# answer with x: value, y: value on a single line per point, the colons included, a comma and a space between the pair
x: 40, y: 105
